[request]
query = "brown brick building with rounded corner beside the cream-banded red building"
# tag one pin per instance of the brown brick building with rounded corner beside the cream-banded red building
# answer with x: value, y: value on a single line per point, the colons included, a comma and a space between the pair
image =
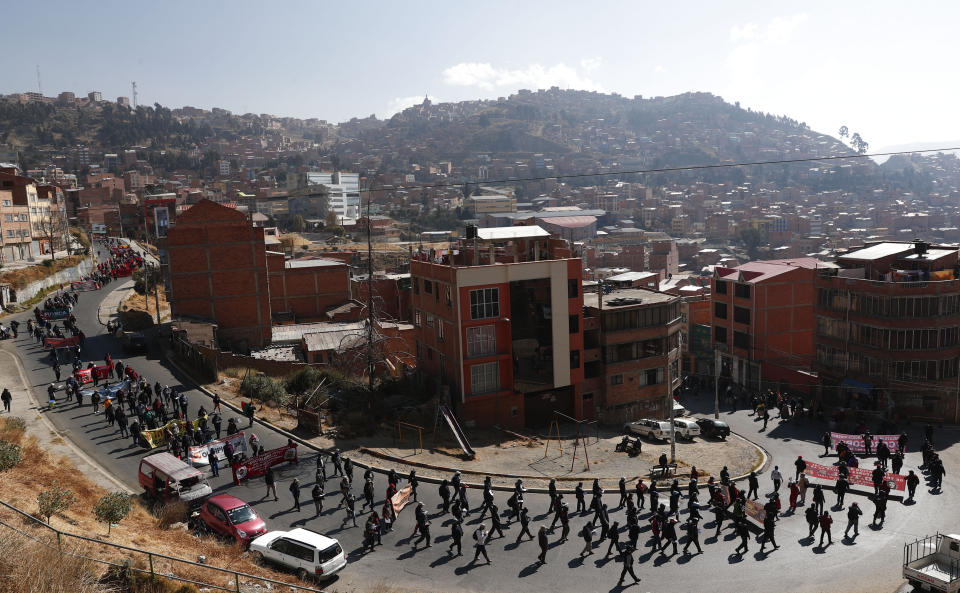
x: 631, y: 353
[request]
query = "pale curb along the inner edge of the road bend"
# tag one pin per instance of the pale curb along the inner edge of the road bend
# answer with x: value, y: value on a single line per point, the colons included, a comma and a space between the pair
x: 428, y: 479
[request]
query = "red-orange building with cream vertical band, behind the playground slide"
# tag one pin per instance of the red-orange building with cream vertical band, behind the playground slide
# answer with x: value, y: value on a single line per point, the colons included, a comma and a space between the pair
x: 499, y: 326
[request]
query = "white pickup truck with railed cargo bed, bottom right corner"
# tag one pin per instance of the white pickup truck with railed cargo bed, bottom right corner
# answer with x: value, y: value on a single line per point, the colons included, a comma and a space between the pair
x: 933, y: 563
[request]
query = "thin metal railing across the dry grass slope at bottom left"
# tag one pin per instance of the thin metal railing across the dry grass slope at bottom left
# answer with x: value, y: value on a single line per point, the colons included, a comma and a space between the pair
x: 158, y: 565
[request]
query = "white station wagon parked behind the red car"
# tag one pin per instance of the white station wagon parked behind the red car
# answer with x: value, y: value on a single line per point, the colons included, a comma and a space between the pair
x: 306, y: 552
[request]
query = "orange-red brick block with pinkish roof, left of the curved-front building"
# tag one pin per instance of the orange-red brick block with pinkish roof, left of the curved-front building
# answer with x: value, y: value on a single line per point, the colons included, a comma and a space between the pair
x: 763, y: 323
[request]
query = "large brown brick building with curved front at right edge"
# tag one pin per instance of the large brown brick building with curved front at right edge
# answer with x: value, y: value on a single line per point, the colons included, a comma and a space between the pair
x: 888, y: 330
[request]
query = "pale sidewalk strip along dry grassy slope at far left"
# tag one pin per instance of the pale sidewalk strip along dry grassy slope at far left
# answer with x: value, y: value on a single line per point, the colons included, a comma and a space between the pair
x: 56, y: 443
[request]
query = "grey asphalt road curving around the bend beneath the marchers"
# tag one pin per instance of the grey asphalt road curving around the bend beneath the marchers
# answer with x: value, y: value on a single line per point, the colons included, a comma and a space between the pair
x: 872, y: 563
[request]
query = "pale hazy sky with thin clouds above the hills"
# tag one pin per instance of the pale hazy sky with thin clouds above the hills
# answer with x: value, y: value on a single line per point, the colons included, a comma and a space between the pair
x: 885, y: 69
